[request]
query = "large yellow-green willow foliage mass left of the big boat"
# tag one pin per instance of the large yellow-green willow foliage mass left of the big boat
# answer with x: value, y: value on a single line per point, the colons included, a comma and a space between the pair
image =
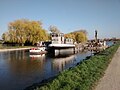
x: 22, y: 31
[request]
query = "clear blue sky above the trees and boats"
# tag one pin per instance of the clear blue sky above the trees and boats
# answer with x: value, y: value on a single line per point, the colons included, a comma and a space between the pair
x: 66, y: 15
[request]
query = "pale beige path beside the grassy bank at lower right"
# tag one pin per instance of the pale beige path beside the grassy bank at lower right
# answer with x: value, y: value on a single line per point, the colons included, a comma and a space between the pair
x: 111, y: 79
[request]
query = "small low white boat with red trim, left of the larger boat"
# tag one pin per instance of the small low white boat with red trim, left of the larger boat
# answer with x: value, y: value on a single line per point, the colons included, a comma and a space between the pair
x: 37, y: 51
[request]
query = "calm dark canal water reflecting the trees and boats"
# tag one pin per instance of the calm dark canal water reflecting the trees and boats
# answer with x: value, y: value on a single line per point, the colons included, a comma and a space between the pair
x: 19, y: 70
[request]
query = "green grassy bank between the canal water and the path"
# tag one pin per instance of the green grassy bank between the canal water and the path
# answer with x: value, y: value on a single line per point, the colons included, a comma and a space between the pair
x: 84, y: 76
